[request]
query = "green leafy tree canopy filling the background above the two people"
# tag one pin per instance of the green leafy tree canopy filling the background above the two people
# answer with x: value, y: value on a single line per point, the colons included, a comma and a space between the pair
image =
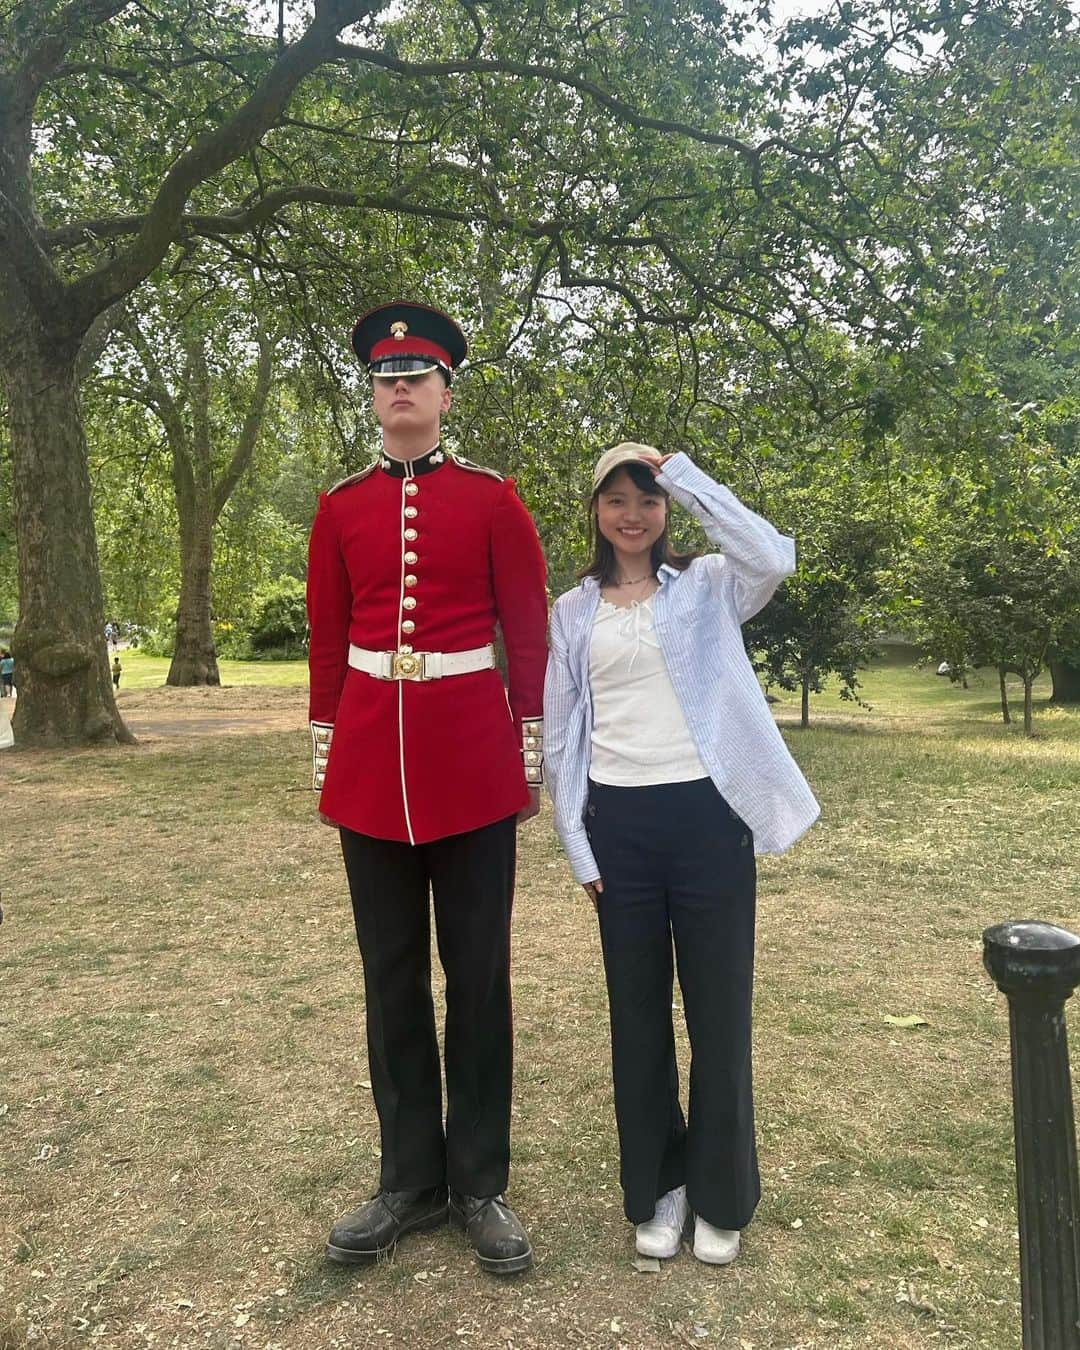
x: 850, y: 291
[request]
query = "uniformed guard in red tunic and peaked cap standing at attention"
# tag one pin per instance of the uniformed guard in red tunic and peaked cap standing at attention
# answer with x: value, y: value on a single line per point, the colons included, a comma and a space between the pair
x: 426, y: 762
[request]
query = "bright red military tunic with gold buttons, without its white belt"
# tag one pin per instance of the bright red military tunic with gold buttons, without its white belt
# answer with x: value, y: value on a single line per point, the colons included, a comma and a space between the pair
x: 421, y: 761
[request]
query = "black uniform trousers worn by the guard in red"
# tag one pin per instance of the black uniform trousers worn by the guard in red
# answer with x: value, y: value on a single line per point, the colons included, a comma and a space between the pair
x: 470, y: 878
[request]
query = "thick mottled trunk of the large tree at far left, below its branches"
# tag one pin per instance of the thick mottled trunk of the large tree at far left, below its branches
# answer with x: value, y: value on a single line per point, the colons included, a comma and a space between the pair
x: 61, y: 658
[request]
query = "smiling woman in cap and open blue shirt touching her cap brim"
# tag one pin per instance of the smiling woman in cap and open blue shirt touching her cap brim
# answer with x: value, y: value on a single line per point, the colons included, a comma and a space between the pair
x: 668, y: 773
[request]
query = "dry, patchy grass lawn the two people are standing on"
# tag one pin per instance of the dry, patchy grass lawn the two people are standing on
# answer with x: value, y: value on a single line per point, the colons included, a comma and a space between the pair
x: 184, y: 1101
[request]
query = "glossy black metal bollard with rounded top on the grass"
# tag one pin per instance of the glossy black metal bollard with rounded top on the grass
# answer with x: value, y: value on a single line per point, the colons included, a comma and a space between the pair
x: 1037, y: 967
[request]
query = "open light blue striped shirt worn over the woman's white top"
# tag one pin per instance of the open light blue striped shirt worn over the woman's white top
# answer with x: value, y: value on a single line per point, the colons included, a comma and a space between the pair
x: 699, y: 616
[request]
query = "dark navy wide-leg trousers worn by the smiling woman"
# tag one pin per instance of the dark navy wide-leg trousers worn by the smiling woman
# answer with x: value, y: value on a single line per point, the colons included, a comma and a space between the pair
x: 677, y: 862
